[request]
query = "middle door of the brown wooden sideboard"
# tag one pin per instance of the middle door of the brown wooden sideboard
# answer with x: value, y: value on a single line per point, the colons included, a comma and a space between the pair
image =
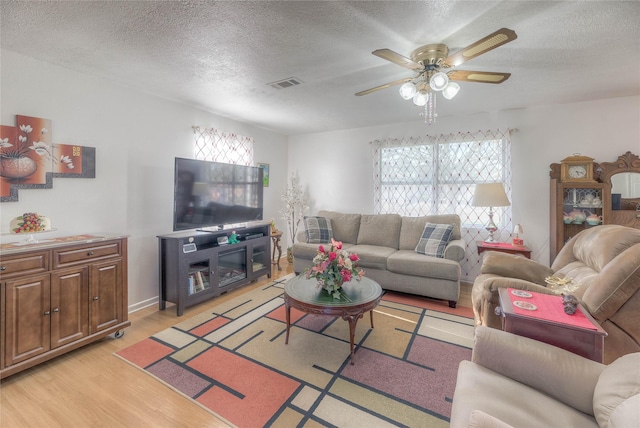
x: 69, y: 305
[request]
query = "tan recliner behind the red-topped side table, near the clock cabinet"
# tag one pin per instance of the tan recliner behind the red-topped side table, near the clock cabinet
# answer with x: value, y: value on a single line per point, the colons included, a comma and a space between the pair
x: 604, y: 261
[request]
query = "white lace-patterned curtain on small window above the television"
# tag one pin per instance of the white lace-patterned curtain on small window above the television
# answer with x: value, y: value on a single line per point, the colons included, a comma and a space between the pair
x: 216, y: 146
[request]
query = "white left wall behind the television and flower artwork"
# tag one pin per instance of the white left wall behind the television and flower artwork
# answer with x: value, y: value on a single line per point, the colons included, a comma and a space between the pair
x: 136, y: 137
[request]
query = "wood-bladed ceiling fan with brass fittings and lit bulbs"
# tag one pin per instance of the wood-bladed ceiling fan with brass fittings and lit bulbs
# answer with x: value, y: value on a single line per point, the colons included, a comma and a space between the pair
x: 428, y: 60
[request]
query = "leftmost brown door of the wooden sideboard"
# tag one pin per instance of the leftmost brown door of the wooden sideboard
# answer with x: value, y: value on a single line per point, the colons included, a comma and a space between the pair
x: 27, y: 311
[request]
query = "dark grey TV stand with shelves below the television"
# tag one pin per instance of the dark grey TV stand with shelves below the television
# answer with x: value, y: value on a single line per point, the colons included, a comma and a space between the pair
x: 195, y: 267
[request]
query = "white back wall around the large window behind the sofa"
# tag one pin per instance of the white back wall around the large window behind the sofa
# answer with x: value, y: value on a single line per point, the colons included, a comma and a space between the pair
x: 339, y: 176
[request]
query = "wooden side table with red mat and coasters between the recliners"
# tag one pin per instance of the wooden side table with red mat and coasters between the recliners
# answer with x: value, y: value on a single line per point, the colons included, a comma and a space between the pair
x: 542, y: 317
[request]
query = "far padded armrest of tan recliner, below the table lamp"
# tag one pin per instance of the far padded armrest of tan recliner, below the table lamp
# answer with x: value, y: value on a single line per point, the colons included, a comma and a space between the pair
x: 515, y: 266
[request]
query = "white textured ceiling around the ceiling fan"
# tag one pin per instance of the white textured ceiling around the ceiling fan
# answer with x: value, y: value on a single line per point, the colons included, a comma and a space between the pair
x: 220, y: 56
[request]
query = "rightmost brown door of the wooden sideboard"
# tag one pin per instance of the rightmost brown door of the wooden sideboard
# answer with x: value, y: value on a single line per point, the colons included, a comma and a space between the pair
x: 105, y: 295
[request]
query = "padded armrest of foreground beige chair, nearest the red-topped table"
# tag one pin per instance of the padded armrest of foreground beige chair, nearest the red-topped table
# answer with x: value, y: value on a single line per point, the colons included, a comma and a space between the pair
x: 561, y: 374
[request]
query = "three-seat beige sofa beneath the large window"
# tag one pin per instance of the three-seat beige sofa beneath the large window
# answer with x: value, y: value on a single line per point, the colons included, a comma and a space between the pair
x: 386, y: 246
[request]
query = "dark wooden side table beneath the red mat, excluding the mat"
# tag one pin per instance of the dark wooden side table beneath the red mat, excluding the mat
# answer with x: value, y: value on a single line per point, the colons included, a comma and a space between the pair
x: 587, y: 342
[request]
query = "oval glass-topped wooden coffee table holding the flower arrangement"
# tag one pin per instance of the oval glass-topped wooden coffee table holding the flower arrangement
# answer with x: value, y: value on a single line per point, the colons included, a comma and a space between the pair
x: 357, y: 297
